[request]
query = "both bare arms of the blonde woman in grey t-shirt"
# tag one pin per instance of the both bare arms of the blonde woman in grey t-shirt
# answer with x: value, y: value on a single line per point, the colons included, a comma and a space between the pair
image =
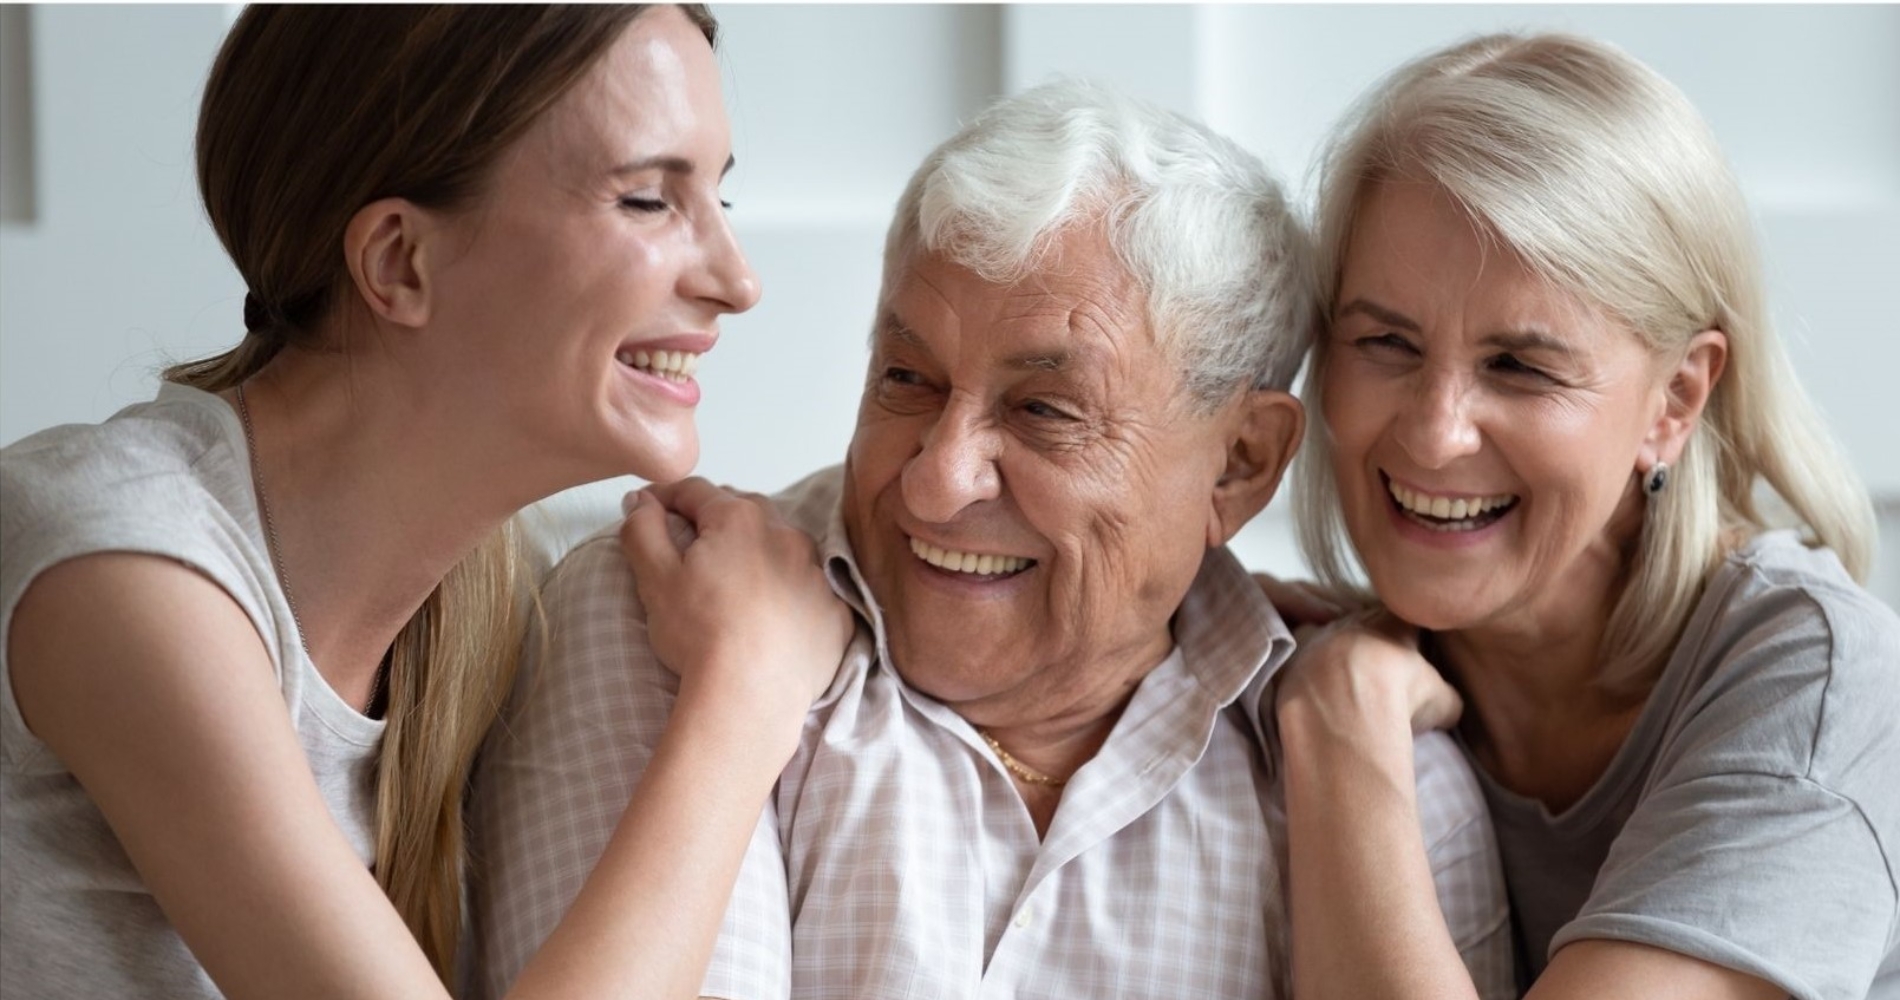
x: 1367, y: 923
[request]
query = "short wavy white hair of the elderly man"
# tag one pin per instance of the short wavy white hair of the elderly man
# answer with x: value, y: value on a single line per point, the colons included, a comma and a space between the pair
x: 1196, y: 221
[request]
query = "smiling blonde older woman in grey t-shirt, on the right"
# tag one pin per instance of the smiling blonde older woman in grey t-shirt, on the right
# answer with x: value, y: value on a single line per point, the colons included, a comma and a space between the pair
x: 1555, y: 425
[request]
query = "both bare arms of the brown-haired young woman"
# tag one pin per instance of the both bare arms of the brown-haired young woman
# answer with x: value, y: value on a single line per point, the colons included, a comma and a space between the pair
x: 159, y: 695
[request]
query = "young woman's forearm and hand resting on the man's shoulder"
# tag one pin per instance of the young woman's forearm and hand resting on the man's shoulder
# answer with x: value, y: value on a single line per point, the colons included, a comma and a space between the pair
x: 748, y: 621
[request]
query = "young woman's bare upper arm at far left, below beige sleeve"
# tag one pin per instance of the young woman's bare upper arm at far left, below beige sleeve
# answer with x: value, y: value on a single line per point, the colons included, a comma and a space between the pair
x: 155, y: 689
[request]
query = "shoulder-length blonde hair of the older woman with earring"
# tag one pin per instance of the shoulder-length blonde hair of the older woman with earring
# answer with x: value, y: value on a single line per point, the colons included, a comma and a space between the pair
x: 1603, y: 178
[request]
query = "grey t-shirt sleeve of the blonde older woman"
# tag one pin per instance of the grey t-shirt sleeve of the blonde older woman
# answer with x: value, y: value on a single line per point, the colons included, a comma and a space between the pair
x: 1764, y: 841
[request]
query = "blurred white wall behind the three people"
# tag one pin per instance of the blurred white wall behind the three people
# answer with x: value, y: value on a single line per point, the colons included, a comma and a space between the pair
x: 107, y: 269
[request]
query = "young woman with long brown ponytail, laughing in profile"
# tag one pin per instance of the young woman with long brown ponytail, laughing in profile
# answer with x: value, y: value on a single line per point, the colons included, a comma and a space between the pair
x: 256, y: 630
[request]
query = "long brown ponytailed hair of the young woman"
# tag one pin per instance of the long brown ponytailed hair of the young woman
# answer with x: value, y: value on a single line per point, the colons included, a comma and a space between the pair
x: 313, y: 113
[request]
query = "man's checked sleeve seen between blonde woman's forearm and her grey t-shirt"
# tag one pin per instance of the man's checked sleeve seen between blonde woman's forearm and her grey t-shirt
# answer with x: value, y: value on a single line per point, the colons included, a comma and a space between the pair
x: 1466, y: 864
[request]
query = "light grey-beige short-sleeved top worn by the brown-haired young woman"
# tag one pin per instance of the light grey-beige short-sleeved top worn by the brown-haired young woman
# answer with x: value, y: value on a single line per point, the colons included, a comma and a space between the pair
x: 166, y: 478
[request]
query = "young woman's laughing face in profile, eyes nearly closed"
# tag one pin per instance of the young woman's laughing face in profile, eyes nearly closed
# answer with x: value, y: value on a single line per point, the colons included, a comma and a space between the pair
x: 588, y: 282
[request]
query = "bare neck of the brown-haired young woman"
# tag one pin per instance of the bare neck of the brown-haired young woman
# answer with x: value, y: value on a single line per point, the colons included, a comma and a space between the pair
x: 373, y: 501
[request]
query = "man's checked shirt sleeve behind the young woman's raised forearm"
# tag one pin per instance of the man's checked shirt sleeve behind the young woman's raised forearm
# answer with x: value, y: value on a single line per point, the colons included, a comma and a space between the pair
x: 588, y: 712
